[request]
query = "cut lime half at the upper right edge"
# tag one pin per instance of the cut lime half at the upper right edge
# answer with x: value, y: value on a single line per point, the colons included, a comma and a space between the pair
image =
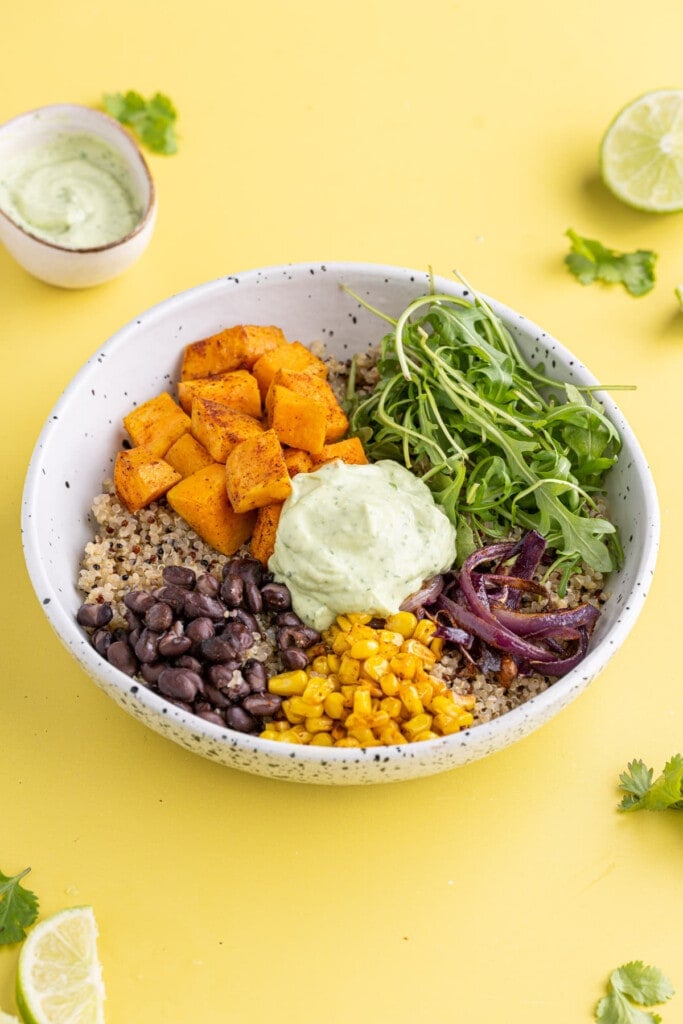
x: 642, y: 154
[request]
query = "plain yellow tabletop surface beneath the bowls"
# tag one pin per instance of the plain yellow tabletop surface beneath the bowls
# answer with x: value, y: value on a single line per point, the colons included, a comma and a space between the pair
x: 457, y: 135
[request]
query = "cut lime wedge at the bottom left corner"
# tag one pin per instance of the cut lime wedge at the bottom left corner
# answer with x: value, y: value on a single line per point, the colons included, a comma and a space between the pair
x: 60, y: 979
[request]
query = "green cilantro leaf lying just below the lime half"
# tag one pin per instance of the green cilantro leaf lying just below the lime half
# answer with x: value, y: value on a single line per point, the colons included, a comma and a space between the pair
x: 589, y: 261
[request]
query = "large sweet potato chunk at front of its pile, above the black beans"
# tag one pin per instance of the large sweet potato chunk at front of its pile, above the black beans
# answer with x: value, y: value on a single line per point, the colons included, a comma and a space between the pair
x: 202, y: 501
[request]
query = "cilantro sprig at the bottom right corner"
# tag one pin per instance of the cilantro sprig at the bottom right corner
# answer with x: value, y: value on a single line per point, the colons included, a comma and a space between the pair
x: 630, y: 988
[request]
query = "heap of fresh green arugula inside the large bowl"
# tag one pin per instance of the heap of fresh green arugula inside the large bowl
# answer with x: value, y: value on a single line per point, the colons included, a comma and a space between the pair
x: 498, y: 443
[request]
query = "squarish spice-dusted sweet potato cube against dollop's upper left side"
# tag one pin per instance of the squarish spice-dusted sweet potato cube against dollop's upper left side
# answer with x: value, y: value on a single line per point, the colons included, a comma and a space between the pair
x: 257, y: 474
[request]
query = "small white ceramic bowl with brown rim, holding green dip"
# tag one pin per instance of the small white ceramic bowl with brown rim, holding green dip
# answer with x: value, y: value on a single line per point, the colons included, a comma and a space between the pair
x: 47, y: 261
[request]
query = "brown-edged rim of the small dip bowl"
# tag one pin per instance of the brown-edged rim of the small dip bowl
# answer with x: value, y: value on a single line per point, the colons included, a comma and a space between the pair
x: 136, y: 153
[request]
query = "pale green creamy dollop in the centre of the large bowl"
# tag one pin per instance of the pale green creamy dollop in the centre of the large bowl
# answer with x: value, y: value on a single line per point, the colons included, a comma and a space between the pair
x: 359, y: 539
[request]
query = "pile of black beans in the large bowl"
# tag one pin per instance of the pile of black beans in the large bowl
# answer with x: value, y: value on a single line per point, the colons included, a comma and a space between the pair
x: 190, y: 641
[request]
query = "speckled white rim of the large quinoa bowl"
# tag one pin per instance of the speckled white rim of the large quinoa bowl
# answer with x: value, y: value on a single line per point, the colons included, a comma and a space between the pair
x: 560, y: 694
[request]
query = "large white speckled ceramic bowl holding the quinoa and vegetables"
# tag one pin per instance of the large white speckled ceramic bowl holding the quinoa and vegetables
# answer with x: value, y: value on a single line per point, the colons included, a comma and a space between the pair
x: 76, y: 452
